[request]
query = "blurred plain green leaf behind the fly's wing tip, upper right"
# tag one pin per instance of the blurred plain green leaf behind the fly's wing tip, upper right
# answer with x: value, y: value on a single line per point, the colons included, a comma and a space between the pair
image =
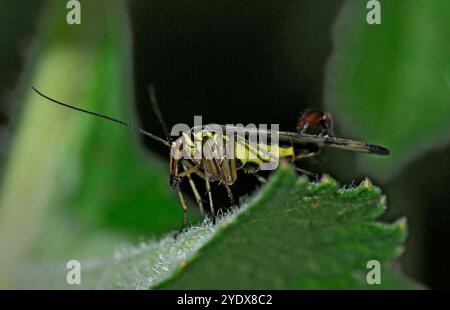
x: 390, y: 83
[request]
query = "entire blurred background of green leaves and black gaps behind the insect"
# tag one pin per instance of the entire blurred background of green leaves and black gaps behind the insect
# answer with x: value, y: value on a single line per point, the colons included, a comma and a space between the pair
x: 73, y: 184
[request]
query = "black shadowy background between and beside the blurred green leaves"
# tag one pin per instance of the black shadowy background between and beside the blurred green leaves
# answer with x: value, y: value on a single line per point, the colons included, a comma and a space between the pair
x: 250, y: 62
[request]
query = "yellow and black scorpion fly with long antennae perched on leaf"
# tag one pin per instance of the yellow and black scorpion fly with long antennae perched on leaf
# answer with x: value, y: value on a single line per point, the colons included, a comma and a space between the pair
x: 314, y: 131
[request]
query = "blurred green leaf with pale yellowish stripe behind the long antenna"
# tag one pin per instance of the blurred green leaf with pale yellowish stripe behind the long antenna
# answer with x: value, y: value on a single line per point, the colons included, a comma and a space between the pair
x: 70, y: 179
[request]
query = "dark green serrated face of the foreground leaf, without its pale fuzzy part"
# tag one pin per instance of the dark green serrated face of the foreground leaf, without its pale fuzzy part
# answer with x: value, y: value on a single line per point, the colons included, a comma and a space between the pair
x: 297, y: 234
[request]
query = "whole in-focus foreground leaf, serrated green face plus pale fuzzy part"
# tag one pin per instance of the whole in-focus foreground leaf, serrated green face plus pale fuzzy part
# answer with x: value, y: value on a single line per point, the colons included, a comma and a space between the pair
x: 292, y: 235
